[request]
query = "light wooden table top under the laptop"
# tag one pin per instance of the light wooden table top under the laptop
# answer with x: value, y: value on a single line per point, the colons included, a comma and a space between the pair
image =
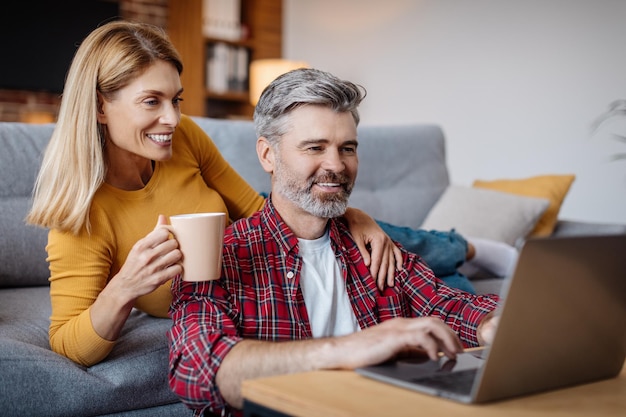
x: 348, y: 394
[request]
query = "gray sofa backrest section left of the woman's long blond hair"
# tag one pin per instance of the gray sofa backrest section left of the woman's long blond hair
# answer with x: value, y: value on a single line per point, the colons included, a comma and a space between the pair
x: 22, y: 248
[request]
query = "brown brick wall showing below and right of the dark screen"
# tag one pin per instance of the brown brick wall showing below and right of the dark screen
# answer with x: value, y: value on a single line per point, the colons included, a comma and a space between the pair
x: 39, y: 107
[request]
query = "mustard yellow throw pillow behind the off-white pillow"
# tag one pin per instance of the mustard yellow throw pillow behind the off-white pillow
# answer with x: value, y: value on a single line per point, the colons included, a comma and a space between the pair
x: 554, y: 188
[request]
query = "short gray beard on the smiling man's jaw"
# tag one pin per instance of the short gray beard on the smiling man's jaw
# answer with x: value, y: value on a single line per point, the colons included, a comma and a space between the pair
x: 328, y: 207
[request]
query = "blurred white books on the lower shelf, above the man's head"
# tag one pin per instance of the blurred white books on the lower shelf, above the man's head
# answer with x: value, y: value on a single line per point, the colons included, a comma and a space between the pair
x: 227, y: 68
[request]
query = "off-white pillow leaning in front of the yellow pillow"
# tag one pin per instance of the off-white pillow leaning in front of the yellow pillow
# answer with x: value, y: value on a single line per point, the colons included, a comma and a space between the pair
x: 489, y: 214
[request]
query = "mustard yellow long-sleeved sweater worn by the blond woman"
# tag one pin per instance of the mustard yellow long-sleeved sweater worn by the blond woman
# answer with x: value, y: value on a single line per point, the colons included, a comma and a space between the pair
x: 195, y: 179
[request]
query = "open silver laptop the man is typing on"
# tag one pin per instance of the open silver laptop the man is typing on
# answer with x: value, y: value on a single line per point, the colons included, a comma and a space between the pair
x: 562, y: 323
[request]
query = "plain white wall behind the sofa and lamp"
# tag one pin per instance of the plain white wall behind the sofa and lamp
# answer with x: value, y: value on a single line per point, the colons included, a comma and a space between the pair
x: 515, y: 85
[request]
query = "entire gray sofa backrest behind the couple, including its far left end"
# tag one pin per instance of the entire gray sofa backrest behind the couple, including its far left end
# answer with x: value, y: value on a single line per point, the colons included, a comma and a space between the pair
x: 402, y: 173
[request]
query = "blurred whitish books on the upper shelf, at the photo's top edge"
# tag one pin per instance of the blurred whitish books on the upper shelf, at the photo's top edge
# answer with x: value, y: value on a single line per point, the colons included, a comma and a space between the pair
x: 221, y: 19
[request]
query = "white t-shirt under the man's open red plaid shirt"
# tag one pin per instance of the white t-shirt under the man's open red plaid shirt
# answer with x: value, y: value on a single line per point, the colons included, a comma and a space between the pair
x: 324, y: 290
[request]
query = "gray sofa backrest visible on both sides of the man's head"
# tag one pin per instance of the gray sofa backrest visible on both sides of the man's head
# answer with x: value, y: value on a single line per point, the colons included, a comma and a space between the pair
x: 402, y: 168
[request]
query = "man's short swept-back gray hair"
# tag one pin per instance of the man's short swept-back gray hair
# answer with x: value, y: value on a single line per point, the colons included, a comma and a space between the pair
x: 302, y: 87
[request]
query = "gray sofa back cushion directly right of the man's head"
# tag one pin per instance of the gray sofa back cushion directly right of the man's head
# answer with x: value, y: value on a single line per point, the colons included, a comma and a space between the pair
x: 402, y: 172
